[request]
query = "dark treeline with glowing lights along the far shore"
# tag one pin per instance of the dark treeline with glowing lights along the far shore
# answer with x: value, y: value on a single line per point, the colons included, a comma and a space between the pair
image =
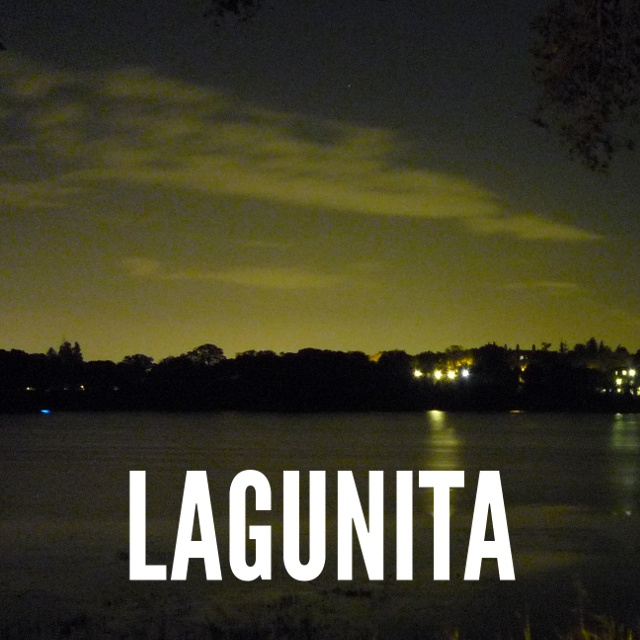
x: 587, y: 377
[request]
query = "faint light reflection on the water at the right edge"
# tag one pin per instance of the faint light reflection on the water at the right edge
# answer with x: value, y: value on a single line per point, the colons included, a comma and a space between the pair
x: 625, y: 462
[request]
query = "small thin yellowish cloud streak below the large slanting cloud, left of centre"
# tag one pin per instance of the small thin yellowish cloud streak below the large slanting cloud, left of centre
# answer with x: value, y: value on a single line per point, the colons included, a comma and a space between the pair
x: 286, y: 278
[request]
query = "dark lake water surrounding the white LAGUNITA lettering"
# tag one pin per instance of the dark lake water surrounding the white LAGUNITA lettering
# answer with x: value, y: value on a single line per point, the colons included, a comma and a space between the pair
x: 571, y: 486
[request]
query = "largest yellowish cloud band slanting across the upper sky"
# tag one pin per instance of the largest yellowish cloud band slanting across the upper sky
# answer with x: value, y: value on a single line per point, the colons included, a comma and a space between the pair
x: 135, y: 127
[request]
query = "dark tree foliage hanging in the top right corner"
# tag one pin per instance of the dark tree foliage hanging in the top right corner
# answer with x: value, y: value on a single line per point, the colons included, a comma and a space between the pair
x: 587, y: 68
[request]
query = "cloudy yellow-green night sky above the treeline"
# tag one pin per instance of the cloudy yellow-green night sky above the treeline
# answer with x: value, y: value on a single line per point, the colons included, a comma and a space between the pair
x: 353, y: 175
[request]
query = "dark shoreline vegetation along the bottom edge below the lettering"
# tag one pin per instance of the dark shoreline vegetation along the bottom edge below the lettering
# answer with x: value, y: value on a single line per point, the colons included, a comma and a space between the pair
x: 327, y: 614
